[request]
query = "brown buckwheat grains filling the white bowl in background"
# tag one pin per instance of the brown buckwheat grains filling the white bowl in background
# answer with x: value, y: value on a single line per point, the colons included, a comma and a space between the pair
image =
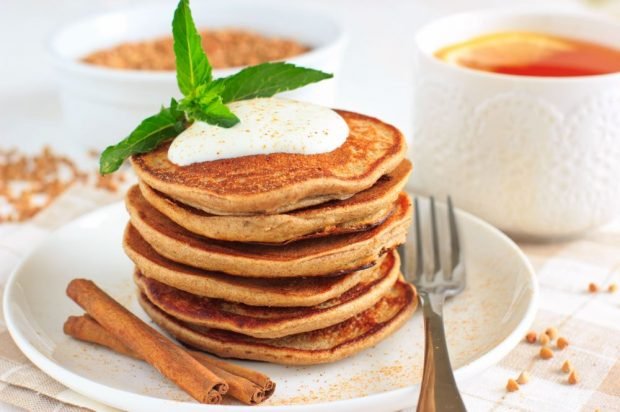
x: 225, y: 48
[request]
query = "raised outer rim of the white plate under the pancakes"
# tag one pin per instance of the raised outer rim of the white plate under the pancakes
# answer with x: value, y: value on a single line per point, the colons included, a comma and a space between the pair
x: 401, y: 397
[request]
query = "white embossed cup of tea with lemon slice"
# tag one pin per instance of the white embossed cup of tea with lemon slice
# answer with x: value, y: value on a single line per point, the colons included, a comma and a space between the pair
x: 517, y: 117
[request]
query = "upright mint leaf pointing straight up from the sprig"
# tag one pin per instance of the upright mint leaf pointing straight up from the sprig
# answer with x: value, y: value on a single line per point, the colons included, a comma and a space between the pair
x: 193, y: 67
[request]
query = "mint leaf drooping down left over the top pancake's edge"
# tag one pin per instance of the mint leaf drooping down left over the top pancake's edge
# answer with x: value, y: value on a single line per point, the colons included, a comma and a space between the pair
x: 153, y: 131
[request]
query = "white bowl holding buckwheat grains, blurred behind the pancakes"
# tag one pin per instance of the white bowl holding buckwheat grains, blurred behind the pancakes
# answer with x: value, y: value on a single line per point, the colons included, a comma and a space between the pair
x: 102, y: 105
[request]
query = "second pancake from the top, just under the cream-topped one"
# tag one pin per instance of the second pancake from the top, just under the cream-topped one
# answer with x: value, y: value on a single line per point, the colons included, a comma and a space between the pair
x: 362, y: 211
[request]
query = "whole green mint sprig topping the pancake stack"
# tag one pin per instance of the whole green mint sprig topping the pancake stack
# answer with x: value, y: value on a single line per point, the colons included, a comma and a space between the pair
x: 204, y: 98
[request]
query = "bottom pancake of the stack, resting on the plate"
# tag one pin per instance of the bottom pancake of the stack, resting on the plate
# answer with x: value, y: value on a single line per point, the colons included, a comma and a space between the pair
x: 320, y: 346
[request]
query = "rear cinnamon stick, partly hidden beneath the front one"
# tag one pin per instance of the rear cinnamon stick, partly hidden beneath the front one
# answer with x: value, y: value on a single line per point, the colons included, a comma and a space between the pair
x: 240, y: 387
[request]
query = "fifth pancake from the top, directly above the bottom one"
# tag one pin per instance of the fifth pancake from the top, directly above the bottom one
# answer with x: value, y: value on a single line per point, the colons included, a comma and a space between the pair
x: 270, y: 322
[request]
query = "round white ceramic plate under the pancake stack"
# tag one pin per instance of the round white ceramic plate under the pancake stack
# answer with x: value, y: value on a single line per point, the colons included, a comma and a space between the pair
x: 483, y: 324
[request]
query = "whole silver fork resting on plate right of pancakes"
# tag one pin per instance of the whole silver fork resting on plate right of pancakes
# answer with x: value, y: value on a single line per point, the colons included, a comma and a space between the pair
x: 438, y: 391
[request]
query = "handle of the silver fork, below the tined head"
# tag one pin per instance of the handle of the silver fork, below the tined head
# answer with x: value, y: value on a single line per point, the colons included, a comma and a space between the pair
x: 438, y: 391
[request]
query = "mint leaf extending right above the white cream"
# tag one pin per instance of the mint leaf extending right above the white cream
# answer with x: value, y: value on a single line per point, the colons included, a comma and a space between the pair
x: 267, y: 79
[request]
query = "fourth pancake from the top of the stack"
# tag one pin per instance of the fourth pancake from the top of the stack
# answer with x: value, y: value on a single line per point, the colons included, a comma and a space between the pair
x: 301, y: 291
